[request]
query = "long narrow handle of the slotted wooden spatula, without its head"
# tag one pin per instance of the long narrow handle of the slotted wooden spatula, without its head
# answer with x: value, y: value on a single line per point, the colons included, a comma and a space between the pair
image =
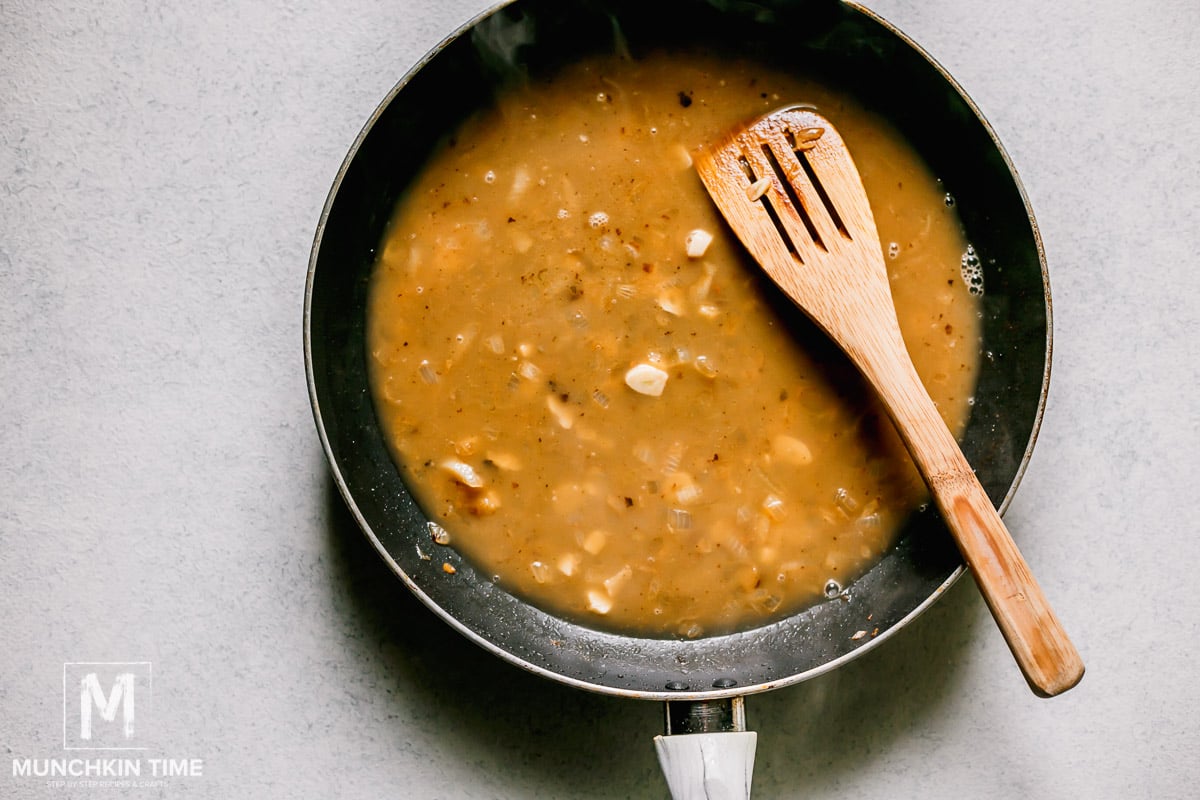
x: 1039, y: 642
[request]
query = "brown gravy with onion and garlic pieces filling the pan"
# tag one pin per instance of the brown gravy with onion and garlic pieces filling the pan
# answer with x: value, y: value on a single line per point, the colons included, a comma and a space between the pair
x: 597, y: 396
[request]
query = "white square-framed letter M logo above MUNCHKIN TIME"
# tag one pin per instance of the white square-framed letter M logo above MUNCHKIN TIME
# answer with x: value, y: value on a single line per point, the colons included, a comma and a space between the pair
x: 107, y: 706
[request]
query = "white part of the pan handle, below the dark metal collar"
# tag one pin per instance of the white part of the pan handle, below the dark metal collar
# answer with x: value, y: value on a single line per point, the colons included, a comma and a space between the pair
x: 709, y: 766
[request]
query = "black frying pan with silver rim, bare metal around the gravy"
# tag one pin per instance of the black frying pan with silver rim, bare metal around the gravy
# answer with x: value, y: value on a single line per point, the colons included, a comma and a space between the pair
x: 703, y: 681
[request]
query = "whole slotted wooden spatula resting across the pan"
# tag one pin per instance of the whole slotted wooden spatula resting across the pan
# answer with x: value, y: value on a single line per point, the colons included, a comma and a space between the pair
x: 791, y: 193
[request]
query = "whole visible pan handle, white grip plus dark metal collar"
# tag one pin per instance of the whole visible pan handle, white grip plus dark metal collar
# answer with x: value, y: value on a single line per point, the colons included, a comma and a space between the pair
x: 707, y: 754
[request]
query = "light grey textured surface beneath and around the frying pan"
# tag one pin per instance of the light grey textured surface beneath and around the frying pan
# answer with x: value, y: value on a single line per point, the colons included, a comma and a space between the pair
x: 164, y: 497
